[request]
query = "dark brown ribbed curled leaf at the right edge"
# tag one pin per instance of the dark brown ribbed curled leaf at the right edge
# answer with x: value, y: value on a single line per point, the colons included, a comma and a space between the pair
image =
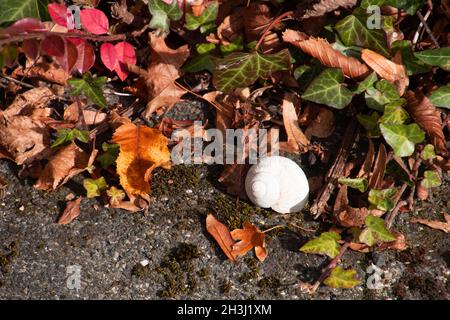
x: 428, y: 117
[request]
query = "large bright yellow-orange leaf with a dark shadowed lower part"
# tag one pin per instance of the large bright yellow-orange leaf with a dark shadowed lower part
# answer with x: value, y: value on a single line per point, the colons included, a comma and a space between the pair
x: 142, y: 149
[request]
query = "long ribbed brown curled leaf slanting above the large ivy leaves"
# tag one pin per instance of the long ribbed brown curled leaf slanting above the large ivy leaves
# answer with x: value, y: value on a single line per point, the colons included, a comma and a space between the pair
x: 324, y: 52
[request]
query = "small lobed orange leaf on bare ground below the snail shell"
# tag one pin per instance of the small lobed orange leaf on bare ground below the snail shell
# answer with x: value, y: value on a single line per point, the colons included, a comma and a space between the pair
x: 250, y: 237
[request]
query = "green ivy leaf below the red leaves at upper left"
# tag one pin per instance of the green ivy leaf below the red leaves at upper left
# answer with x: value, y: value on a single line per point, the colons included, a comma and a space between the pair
x: 91, y: 87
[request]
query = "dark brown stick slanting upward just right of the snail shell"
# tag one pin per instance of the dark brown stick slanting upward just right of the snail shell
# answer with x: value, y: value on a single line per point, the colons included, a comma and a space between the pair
x: 335, y: 171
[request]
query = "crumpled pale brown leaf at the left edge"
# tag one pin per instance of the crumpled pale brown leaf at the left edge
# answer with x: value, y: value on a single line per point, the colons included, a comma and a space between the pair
x: 24, y: 139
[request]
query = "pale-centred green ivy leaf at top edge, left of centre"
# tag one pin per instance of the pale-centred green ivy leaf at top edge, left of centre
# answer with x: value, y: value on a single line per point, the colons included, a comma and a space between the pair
x: 162, y: 13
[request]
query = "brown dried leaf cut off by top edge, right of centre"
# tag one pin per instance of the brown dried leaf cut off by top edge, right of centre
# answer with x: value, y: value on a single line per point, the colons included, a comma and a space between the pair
x: 306, y: 9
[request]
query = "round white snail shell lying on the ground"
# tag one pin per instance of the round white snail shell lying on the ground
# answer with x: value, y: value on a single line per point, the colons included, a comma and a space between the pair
x: 278, y: 183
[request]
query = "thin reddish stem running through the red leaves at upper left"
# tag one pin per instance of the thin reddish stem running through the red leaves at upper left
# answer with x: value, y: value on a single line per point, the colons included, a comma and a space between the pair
x: 41, y: 35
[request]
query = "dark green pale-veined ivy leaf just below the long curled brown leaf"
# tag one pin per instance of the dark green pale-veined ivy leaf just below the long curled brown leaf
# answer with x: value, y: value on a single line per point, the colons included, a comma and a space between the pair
x: 327, y: 89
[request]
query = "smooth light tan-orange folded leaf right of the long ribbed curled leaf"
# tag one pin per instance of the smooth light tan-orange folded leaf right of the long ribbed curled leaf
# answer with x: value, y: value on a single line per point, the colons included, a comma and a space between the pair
x: 393, y: 72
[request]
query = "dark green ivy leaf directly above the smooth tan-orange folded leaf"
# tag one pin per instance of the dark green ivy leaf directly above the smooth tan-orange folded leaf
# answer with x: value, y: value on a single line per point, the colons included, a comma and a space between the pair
x: 353, y: 31
